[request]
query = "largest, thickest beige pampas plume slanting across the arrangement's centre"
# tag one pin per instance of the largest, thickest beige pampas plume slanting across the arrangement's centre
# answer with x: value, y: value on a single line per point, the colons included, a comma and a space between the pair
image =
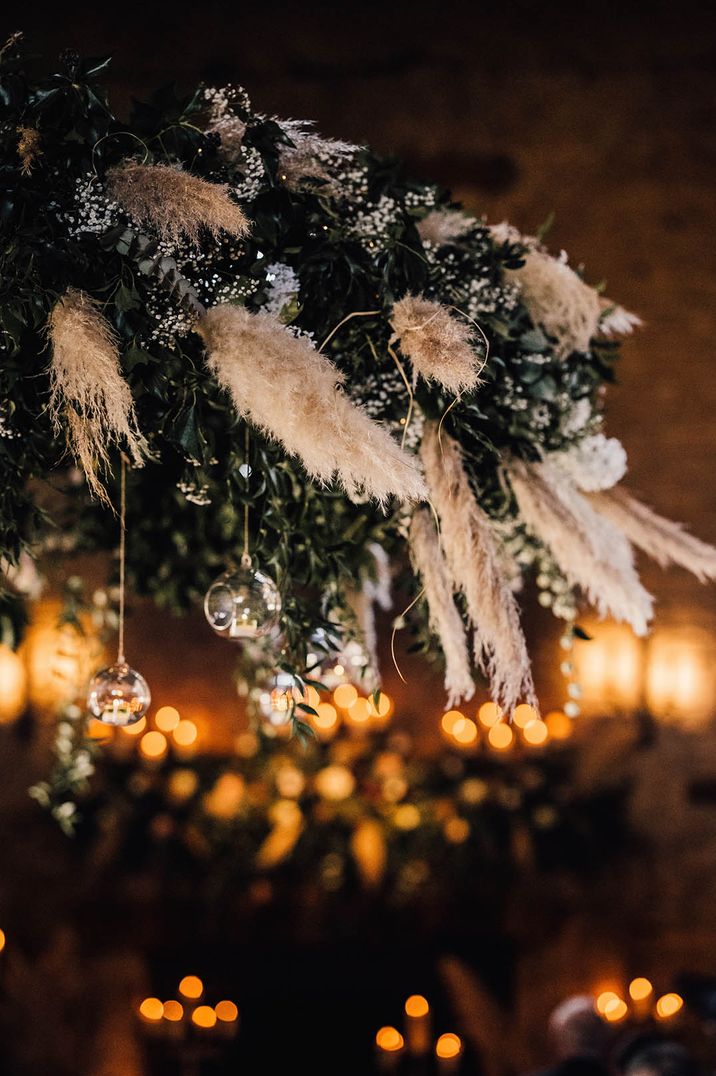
x: 287, y: 388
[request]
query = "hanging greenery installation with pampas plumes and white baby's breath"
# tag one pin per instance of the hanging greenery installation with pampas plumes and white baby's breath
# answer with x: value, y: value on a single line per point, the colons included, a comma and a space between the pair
x: 313, y: 364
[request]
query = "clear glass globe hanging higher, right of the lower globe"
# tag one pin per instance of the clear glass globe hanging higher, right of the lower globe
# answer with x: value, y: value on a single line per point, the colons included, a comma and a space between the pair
x: 243, y: 604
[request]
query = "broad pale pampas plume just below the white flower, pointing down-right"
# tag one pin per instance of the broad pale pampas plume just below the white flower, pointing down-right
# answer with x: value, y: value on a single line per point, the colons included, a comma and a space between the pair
x: 592, y: 553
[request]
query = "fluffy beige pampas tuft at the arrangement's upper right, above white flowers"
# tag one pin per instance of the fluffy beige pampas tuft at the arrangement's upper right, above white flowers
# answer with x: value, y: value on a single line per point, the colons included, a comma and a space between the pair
x: 558, y: 301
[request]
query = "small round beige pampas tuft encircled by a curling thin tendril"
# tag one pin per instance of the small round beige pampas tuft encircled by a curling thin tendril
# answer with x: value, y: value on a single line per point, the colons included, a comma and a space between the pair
x: 441, y: 348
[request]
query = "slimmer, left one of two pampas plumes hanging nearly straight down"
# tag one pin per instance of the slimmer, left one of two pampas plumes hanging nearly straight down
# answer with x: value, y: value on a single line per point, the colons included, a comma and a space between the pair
x: 445, y: 621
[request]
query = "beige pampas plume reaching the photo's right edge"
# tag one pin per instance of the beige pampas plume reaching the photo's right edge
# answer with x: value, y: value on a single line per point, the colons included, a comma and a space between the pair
x: 664, y: 541
